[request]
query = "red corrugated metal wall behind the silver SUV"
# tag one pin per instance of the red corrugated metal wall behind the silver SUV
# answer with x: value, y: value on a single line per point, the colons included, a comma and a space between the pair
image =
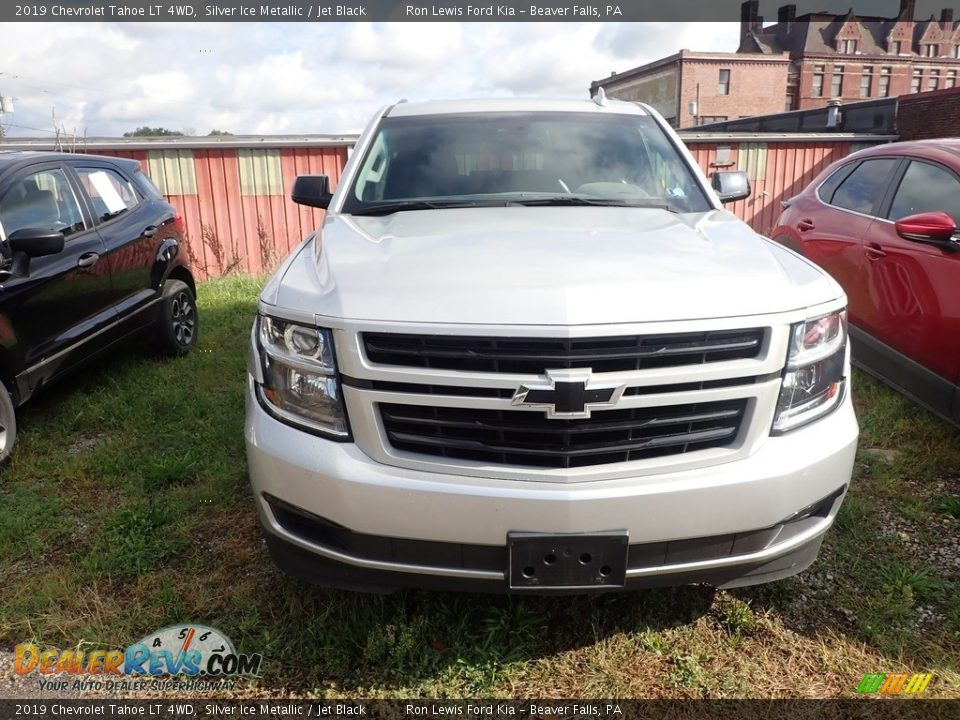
x: 240, y: 218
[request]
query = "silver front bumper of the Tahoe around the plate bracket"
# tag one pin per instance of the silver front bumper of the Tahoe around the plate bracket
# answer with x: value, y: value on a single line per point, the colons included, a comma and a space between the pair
x: 335, y: 516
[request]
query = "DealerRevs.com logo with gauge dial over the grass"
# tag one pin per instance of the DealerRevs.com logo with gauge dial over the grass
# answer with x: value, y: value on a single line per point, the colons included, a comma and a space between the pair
x: 179, y: 650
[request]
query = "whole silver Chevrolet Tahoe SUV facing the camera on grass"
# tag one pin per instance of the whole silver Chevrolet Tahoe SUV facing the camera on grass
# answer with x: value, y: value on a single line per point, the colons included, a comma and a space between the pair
x: 528, y: 351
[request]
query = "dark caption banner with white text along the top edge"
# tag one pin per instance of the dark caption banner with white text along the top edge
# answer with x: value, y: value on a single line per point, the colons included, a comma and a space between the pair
x: 434, y: 10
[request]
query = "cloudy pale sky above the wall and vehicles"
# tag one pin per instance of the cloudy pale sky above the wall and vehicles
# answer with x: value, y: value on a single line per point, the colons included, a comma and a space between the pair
x: 105, y: 79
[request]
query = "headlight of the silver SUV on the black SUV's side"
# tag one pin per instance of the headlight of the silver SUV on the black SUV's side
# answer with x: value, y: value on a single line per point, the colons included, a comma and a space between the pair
x: 301, y: 385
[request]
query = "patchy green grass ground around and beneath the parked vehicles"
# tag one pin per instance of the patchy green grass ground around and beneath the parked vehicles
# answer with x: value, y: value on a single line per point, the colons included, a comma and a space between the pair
x: 126, y: 508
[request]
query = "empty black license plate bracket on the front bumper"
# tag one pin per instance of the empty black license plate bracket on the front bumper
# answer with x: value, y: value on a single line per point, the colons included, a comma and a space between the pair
x: 576, y: 560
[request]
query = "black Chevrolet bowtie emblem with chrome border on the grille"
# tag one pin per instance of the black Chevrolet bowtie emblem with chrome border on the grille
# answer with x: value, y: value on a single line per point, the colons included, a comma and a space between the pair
x: 568, y: 394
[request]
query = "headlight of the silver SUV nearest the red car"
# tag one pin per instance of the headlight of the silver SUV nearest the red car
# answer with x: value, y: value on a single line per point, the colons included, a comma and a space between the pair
x: 813, y: 382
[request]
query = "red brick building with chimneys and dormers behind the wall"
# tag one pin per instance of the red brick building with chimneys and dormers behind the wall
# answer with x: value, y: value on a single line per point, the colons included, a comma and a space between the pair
x: 800, y: 62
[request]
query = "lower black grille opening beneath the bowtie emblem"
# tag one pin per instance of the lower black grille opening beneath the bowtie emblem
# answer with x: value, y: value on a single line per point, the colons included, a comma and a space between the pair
x: 531, y: 439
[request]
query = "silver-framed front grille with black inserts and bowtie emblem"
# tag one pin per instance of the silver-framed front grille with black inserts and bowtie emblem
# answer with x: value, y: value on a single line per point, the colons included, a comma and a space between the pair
x: 682, y: 395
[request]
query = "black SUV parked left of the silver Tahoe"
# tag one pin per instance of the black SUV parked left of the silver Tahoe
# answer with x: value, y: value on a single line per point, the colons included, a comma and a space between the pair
x: 90, y: 255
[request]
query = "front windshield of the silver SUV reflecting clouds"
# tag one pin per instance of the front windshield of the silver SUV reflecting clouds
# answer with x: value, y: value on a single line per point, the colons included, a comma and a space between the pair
x: 434, y: 161
